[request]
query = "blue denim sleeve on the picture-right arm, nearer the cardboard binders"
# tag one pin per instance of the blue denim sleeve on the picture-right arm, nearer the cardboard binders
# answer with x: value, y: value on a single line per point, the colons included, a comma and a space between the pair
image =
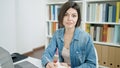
x: 90, y: 61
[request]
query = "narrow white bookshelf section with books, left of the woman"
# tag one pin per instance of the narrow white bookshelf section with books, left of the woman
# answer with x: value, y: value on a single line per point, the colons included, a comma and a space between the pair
x: 52, y: 22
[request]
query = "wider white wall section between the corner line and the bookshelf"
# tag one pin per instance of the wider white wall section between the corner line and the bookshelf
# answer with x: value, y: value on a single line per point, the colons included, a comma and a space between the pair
x: 30, y: 24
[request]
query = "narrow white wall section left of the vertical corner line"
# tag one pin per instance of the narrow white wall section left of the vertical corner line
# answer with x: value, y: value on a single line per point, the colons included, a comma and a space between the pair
x: 7, y: 25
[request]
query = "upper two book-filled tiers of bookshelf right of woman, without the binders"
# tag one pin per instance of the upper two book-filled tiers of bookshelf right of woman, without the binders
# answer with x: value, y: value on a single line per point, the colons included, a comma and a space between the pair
x: 103, y: 17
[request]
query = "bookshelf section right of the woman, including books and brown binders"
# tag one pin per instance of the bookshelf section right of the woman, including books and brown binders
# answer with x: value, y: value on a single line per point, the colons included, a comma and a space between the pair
x: 103, y: 24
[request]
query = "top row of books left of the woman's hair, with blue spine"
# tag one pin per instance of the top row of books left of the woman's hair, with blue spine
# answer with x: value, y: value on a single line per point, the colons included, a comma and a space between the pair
x: 54, y: 11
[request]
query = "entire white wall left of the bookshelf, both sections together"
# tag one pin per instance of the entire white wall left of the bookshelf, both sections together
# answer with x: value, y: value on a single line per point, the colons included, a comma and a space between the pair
x: 22, y: 24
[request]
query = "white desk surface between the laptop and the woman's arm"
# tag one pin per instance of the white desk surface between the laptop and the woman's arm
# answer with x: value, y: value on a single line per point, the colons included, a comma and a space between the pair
x: 36, y: 62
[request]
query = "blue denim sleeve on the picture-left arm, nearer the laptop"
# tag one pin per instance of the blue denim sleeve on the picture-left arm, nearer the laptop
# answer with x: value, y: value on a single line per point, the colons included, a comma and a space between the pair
x: 49, y: 52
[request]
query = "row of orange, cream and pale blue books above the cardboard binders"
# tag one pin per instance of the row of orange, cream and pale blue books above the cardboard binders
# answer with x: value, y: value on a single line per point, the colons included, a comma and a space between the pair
x: 104, y: 33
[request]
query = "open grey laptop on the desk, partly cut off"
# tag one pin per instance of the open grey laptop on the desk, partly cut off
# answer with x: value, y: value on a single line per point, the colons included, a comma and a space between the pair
x: 7, y: 62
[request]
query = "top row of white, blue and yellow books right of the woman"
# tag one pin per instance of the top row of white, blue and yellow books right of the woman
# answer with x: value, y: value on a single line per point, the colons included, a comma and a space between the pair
x: 103, y: 12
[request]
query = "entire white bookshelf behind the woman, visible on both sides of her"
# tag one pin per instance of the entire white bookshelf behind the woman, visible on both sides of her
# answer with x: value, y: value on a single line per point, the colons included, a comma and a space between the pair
x: 102, y: 24
